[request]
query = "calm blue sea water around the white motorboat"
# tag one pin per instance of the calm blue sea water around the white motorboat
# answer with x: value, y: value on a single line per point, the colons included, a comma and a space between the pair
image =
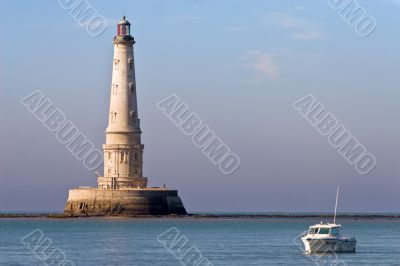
x: 119, y: 241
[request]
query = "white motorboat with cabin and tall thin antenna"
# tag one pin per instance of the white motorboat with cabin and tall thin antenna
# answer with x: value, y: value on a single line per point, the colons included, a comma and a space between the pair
x: 327, y: 238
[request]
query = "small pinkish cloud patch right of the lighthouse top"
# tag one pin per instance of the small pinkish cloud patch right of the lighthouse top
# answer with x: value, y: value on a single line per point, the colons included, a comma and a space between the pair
x: 262, y: 63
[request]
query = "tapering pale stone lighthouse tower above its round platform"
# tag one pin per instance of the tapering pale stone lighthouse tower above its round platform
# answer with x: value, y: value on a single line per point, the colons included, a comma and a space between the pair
x: 123, y: 151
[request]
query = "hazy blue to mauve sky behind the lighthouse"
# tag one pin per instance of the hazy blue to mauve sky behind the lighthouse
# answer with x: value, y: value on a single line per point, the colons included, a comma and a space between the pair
x: 240, y: 66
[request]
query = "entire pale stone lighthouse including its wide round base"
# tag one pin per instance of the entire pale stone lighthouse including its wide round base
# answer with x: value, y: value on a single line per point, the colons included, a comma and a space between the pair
x: 123, y: 190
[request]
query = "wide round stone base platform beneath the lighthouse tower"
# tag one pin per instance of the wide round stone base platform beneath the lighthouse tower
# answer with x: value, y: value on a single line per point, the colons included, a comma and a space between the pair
x: 125, y: 202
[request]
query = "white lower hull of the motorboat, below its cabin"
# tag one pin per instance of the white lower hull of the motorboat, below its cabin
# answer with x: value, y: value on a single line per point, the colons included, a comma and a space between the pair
x: 329, y: 245
